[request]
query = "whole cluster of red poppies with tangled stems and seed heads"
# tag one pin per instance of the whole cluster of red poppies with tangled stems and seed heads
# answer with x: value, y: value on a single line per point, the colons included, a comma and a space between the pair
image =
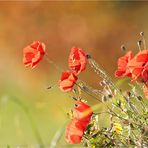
x: 125, y: 111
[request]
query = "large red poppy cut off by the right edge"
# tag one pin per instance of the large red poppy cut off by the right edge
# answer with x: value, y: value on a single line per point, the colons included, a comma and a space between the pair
x: 138, y: 66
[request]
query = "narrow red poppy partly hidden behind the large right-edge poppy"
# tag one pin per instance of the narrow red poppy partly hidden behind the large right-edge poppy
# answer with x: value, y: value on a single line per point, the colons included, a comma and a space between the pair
x: 122, y: 65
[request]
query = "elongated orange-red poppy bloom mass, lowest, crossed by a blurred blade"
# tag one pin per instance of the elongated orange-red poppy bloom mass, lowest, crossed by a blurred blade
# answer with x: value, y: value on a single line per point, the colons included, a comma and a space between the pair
x: 81, y: 117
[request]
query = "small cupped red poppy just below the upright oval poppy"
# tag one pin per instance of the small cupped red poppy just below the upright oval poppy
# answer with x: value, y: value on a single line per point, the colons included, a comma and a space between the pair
x: 67, y: 81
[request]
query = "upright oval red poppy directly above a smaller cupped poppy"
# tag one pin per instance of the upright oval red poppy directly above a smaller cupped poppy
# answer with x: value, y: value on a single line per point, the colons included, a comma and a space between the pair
x: 77, y: 60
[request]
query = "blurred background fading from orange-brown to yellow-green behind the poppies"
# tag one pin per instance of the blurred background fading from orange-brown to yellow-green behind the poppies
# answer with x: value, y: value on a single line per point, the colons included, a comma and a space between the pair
x: 29, y: 112
